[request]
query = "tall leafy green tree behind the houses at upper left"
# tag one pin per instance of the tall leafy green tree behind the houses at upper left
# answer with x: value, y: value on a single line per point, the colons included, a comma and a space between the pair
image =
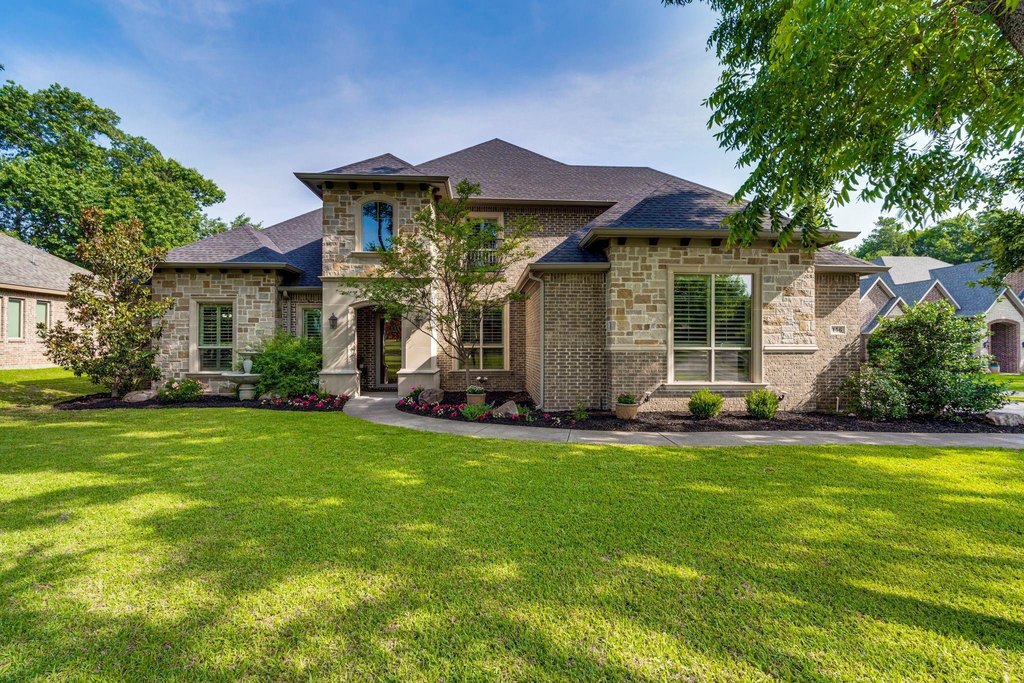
x: 61, y: 153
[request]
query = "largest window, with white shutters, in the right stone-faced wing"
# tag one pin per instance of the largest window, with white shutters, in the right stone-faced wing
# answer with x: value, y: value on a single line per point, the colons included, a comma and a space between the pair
x: 711, y: 330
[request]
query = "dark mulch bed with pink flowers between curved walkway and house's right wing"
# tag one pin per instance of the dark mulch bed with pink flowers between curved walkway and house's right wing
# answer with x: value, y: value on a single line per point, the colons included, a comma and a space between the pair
x: 682, y: 422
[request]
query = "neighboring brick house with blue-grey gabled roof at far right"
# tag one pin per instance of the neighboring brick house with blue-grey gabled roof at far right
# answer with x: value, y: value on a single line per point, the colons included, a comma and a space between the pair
x: 911, y: 280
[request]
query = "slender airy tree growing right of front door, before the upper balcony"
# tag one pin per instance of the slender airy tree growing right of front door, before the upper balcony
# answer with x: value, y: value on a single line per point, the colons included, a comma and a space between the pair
x: 443, y: 274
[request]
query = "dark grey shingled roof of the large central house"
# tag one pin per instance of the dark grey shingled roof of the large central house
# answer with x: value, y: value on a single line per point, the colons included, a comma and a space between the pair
x: 634, y: 198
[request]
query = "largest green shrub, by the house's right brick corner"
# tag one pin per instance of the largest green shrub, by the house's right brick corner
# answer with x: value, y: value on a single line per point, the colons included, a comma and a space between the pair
x: 930, y: 352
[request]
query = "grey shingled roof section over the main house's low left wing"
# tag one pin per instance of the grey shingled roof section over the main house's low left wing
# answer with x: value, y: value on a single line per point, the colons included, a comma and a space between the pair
x: 294, y: 245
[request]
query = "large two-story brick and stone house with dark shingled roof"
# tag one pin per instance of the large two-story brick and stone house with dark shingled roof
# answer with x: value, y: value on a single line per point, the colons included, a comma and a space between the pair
x: 631, y: 289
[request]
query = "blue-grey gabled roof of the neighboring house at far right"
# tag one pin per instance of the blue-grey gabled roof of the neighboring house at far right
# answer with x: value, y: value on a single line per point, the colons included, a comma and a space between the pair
x: 910, y: 279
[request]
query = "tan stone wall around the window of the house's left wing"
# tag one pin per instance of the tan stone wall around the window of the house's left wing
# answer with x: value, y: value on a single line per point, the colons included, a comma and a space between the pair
x: 257, y: 313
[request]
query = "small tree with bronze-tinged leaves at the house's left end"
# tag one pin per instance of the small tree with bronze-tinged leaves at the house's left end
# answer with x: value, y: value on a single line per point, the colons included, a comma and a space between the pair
x: 115, y: 320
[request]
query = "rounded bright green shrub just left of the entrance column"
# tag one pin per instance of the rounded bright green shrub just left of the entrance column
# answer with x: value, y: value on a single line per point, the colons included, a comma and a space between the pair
x: 290, y: 366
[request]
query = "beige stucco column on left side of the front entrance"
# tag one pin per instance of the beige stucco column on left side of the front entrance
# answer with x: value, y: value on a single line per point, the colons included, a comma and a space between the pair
x: 340, y: 374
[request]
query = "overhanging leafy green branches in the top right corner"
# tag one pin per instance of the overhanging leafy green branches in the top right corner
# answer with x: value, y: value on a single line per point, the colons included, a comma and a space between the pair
x: 914, y: 103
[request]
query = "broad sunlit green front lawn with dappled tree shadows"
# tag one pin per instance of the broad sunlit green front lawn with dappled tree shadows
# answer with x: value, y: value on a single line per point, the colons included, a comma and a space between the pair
x: 233, y: 544
